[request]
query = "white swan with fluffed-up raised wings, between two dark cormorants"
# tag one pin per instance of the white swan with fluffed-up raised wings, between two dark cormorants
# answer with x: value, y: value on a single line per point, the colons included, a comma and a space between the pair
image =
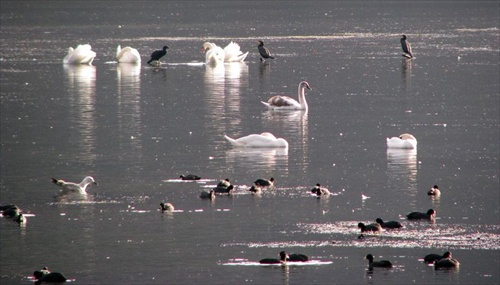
x: 215, y: 54
